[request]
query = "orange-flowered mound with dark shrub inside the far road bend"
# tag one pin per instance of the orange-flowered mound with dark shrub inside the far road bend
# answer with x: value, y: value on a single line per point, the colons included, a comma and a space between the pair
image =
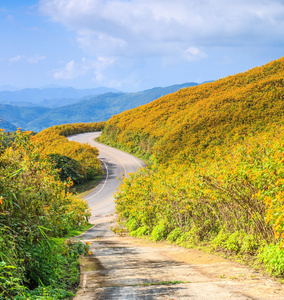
x: 73, y: 160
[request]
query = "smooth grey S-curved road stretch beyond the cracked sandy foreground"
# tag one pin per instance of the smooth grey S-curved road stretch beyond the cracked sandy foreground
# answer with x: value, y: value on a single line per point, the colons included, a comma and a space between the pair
x: 115, y: 163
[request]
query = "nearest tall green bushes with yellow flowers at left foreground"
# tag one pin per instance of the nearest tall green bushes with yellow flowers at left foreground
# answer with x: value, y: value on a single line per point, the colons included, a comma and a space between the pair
x: 35, y: 207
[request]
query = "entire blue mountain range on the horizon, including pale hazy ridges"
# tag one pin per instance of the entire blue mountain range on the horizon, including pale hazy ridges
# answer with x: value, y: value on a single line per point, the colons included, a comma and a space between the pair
x: 82, y: 108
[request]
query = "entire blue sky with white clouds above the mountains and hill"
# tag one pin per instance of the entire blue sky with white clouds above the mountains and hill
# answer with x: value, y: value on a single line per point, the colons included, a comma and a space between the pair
x: 134, y: 45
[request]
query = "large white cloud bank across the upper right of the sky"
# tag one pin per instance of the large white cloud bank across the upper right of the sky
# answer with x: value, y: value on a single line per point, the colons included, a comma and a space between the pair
x: 131, y: 25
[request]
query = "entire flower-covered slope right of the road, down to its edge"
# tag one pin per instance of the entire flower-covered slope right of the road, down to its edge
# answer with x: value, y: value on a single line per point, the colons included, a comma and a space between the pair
x: 216, y: 166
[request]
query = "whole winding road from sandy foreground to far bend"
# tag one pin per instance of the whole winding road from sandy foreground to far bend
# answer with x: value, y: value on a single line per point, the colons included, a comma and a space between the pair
x: 129, y: 268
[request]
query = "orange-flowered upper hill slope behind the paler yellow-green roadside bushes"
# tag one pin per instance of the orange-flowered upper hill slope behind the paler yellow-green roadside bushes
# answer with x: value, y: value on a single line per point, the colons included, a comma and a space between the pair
x: 195, y: 120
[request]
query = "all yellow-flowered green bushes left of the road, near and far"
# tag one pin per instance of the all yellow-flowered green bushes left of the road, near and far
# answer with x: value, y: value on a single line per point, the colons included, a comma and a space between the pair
x: 39, y: 214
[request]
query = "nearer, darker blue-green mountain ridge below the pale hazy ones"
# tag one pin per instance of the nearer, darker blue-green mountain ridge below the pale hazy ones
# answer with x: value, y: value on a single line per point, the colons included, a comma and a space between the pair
x: 89, y: 109
